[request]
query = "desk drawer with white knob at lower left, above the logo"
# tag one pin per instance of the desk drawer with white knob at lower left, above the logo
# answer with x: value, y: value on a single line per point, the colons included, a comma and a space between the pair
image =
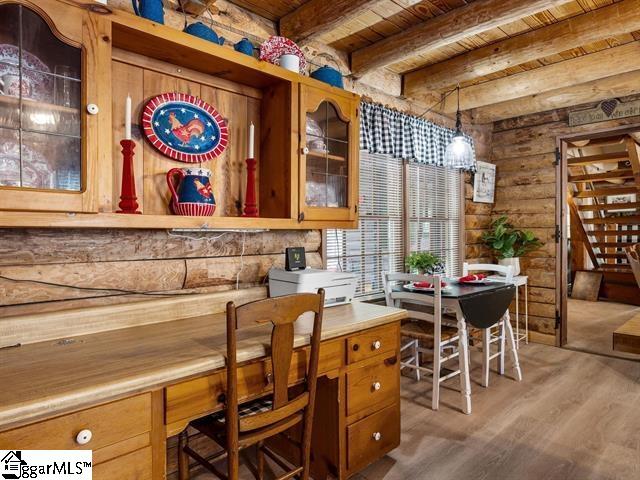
x: 93, y: 429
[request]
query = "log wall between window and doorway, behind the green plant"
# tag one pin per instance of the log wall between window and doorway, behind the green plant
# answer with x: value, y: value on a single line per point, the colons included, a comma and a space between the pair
x: 523, y: 149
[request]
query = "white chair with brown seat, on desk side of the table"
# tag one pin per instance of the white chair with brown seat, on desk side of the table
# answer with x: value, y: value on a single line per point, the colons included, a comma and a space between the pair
x: 429, y: 331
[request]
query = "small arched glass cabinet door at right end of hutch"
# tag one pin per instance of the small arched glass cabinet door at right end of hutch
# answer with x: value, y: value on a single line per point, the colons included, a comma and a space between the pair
x: 329, y: 155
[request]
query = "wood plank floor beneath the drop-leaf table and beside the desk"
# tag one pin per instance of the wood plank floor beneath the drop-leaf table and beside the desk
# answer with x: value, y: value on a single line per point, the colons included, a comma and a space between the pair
x: 573, y: 417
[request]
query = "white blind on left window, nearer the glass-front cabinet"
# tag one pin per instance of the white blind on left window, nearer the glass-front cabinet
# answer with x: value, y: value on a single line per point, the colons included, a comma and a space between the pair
x: 377, y: 245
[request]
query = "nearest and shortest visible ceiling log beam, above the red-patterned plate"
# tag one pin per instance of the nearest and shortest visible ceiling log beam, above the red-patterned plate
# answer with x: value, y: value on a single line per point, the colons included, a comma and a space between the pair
x: 316, y: 17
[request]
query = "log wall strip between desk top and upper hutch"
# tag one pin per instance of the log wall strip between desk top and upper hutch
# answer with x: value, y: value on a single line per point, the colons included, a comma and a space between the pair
x: 101, y: 262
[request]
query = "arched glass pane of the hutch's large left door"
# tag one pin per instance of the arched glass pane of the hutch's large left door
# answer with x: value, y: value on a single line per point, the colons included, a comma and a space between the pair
x: 40, y: 98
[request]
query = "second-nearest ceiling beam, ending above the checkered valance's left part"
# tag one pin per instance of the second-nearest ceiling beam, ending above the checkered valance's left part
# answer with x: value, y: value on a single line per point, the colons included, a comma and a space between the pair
x: 451, y: 27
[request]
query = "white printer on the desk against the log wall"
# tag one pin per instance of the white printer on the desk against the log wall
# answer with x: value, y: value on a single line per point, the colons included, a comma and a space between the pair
x: 340, y: 287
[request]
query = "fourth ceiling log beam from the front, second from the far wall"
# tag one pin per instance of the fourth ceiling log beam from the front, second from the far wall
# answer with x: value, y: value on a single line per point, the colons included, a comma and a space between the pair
x: 595, y: 66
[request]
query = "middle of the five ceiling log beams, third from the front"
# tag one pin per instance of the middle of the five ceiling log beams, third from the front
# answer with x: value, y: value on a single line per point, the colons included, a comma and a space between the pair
x: 616, y: 19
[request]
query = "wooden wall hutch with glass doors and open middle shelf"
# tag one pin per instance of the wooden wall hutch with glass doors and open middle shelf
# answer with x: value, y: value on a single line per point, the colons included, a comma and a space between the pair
x: 62, y: 118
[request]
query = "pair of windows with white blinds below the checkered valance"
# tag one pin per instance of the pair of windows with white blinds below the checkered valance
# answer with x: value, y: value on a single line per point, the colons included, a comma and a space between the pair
x: 433, y: 205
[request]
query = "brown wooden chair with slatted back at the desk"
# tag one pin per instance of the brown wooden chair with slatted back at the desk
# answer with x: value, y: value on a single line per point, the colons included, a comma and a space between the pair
x: 249, y: 424
